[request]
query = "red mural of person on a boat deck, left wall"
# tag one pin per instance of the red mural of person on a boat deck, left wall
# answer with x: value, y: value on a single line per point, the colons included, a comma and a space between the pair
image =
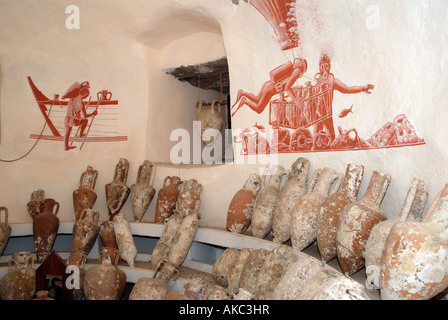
x: 75, y: 122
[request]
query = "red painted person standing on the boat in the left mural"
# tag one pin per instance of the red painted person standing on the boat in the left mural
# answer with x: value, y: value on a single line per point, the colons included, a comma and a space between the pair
x: 76, y: 111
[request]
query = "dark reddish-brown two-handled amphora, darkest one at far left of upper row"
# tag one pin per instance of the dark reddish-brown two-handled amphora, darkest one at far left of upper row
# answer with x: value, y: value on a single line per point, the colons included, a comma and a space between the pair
x: 45, y: 229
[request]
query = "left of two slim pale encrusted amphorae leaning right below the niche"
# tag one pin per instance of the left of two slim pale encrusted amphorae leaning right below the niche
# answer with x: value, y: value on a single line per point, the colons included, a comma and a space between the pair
x: 163, y: 245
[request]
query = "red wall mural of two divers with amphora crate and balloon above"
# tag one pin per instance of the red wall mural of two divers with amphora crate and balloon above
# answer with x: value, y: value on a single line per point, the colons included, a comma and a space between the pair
x: 302, y: 115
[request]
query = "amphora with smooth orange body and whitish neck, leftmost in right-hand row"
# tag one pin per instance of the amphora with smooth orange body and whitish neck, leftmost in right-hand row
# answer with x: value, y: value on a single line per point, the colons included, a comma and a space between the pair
x: 239, y: 214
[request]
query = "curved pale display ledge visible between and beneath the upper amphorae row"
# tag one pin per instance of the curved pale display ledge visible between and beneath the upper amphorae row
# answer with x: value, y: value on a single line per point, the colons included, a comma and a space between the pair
x: 218, y: 239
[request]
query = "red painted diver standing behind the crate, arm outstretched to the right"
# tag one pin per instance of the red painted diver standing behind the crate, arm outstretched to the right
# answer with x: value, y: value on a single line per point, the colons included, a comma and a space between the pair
x: 325, y: 77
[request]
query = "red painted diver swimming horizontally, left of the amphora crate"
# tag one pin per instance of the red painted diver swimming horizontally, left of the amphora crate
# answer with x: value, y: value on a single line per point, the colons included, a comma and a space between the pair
x: 282, y: 80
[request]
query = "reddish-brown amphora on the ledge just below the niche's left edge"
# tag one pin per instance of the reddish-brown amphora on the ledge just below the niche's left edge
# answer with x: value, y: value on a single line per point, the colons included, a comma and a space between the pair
x: 166, y: 198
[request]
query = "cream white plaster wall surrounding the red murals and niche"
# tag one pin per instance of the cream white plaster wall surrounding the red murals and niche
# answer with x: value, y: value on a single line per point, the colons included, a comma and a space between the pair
x: 119, y: 47
